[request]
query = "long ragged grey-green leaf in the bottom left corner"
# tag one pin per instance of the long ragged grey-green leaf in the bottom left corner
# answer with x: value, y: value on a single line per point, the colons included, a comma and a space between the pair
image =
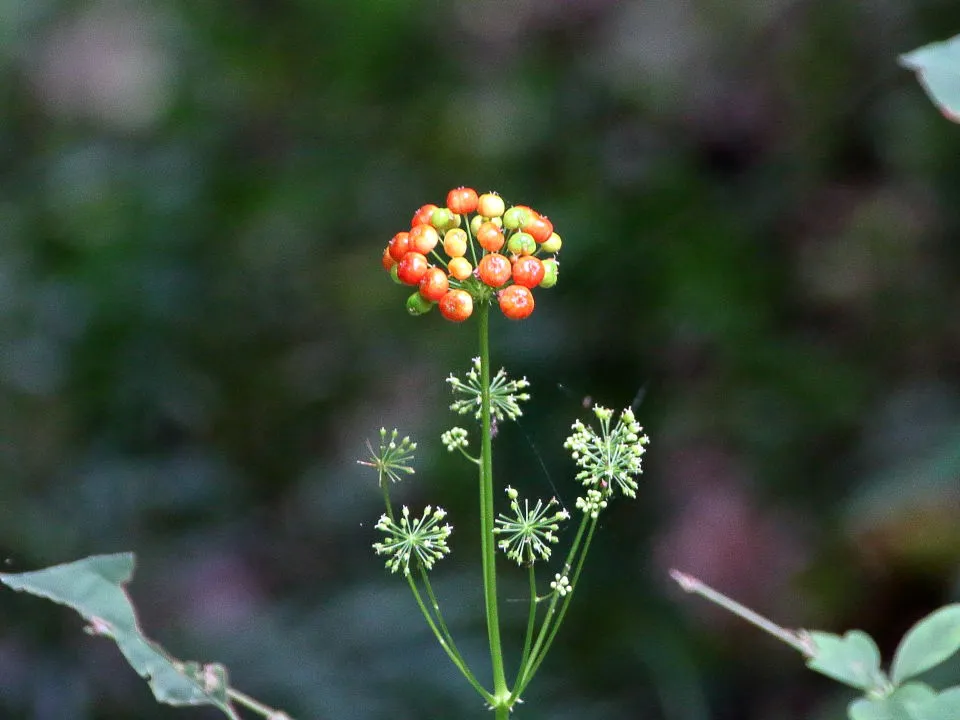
x: 94, y: 588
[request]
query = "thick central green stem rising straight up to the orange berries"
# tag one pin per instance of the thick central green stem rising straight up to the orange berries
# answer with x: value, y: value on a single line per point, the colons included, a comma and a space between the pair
x: 500, y: 692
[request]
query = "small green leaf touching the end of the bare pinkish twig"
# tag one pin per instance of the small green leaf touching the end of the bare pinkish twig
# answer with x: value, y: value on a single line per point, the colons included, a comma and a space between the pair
x: 852, y: 659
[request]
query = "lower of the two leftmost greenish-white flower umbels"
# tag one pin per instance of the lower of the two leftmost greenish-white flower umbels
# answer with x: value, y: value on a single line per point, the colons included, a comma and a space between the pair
x: 423, y: 539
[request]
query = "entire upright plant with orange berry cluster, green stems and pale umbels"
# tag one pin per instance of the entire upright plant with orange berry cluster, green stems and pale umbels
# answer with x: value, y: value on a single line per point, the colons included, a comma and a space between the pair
x: 506, y: 249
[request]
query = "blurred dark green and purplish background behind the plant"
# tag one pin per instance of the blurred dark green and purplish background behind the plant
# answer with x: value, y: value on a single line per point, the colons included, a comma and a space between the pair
x: 760, y: 218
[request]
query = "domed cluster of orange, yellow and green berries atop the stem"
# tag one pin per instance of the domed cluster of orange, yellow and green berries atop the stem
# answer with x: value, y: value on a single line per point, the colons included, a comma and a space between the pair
x: 489, y: 251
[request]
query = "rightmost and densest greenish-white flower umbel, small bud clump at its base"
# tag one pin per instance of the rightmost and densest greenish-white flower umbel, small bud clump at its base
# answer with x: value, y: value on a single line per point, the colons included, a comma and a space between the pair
x: 610, y: 459
